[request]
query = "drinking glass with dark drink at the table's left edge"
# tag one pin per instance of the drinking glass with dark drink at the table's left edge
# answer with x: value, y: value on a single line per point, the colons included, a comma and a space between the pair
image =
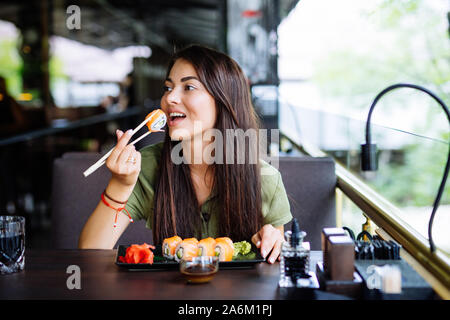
x: 12, y: 244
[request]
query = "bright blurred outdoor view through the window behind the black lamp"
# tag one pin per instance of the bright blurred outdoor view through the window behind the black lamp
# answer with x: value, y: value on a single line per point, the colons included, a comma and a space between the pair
x: 349, y: 52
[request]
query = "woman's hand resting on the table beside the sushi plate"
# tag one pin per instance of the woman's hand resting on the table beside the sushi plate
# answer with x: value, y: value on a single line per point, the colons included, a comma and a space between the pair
x: 269, y: 239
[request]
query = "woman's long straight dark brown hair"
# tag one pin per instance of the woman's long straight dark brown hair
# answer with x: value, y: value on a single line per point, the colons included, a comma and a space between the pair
x: 238, y: 186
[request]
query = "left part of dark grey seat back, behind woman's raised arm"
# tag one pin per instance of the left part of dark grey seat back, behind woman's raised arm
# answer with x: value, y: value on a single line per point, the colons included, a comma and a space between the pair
x: 75, y: 197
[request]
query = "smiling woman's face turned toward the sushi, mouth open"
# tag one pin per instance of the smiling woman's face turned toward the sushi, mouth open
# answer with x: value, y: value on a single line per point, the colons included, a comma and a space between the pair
x: 189, y: 107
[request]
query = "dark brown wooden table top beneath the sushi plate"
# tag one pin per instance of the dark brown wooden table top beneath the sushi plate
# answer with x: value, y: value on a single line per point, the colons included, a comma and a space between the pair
x: 46, y: 277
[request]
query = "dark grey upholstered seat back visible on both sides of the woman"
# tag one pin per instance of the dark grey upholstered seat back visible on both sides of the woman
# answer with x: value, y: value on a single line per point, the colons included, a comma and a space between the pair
x: 309, y: 182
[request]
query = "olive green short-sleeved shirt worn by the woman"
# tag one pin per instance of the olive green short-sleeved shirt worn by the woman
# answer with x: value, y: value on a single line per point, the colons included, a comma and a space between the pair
x: 275, y: 204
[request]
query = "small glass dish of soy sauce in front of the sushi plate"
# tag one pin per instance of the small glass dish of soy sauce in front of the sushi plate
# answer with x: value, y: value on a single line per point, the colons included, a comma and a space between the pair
x: 199, y: 269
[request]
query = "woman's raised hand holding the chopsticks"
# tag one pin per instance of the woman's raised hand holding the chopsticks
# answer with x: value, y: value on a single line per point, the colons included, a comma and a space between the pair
x: 124, y: 162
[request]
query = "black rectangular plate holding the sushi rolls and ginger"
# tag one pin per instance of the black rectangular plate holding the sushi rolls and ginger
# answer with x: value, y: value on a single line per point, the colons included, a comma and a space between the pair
x: 162, y: 263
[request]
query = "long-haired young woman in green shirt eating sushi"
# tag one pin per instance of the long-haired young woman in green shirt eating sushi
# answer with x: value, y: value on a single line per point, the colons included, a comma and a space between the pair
x: 205, y: 91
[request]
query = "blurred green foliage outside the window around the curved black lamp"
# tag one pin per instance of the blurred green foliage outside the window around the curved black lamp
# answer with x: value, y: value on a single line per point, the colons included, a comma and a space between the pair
x: 416, y: 50
